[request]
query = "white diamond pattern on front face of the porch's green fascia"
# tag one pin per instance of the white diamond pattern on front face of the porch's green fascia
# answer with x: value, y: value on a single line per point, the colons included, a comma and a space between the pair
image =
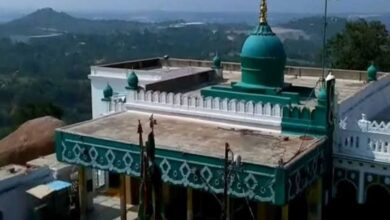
x: 174, y: 170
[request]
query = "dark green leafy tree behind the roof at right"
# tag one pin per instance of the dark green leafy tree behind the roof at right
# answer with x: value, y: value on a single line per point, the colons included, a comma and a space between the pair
x: 359, y: 44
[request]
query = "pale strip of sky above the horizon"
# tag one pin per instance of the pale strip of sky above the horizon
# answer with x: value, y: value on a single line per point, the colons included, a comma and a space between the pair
x: 309, y: 6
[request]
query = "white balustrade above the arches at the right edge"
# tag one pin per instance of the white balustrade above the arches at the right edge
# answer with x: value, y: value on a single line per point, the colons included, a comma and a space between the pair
x: 371, y: 142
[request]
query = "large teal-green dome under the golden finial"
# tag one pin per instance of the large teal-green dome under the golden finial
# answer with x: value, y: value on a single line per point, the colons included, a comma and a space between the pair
x: 262, y: 59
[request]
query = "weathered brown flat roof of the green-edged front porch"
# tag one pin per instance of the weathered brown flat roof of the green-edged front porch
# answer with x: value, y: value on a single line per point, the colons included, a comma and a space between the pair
x: 198, y: 137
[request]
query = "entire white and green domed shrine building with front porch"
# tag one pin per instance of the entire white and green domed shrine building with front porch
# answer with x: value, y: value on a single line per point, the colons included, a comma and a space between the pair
x: 190, y: 139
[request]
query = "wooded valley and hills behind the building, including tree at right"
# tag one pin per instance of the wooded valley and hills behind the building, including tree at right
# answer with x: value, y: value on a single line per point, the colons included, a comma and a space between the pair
x: 48, y: 75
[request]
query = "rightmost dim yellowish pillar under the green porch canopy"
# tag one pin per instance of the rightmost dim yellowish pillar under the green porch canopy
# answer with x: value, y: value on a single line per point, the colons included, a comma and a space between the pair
x: 314, y: 201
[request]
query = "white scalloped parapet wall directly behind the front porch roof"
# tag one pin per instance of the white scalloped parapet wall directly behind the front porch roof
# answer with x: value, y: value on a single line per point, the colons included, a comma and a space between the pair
x: 243, y: 112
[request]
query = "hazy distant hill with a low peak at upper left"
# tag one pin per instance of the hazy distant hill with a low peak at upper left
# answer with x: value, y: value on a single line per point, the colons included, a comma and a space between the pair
x: 48, y: 21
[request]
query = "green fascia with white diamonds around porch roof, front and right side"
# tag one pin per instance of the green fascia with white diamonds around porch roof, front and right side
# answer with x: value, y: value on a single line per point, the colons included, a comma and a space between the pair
x: 276, y: 185
